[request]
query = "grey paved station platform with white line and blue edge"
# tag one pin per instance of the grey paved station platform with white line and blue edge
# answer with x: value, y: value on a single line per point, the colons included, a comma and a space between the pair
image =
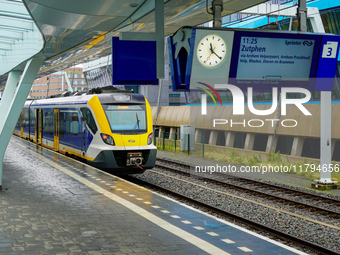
x: 52, y: 204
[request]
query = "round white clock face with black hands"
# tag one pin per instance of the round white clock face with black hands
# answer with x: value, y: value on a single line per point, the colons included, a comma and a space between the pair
x: 211, y: 50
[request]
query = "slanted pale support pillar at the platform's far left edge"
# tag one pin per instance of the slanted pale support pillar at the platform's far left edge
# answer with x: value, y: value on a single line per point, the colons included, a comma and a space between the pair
x: 13, y: 102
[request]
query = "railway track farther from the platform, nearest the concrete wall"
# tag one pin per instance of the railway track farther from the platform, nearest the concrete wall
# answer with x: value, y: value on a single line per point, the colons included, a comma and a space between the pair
x: 262, y: 189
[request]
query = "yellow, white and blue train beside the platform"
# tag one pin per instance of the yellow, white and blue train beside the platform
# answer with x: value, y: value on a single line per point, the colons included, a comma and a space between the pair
x: 110, y: 131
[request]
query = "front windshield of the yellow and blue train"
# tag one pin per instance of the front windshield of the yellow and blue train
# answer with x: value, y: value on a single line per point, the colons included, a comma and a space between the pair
x: 126, y: 118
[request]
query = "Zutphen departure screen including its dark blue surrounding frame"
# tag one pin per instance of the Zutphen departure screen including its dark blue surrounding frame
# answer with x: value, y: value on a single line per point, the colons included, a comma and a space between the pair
x: 273, y: 59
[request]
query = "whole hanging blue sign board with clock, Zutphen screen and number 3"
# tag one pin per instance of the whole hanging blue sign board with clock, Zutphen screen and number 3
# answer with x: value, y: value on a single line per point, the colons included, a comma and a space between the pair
x: 257, y: 59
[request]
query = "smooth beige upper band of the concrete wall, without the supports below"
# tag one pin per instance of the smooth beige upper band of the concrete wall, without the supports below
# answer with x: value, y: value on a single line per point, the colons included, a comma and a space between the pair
x: 308, y: 126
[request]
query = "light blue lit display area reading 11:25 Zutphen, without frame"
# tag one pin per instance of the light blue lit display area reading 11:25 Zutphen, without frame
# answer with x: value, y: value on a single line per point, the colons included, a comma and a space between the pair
x: 273, y: 61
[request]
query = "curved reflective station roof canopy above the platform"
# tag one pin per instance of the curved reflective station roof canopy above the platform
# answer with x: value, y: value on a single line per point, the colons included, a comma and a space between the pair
x: 80, y: 30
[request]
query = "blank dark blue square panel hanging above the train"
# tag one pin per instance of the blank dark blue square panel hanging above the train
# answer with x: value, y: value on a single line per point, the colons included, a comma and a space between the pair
x: 134, y: 62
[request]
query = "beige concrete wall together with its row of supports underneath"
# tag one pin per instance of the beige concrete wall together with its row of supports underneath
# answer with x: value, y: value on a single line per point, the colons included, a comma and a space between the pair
x: 307, y: 129
